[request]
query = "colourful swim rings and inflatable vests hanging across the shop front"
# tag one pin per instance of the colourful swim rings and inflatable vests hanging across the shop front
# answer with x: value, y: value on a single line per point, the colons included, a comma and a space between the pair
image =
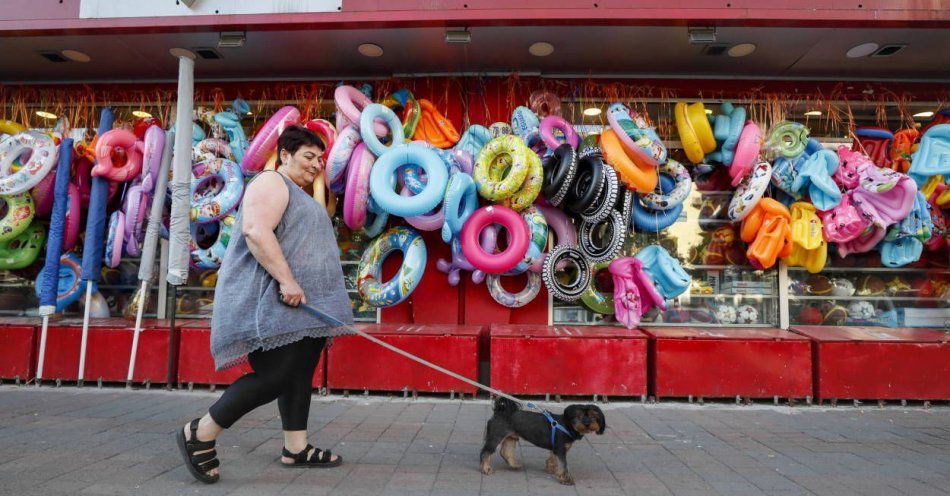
x: 570, y: 202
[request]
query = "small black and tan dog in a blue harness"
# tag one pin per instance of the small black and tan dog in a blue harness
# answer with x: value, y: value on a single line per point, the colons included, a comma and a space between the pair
x: 509, y: 424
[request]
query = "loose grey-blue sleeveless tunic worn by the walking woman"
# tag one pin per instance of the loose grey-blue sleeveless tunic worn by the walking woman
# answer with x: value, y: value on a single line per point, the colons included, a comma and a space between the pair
x: 247, y: 314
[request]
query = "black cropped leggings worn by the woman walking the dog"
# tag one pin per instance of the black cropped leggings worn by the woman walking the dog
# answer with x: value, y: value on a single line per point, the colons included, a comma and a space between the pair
x: 285, y: 374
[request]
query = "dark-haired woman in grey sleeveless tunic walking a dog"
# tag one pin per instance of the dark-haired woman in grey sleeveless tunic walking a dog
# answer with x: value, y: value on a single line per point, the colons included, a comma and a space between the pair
x: 283, y: 253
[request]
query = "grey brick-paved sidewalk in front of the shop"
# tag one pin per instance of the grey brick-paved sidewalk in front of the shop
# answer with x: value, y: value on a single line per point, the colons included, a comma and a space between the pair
x: 112, y: 441
